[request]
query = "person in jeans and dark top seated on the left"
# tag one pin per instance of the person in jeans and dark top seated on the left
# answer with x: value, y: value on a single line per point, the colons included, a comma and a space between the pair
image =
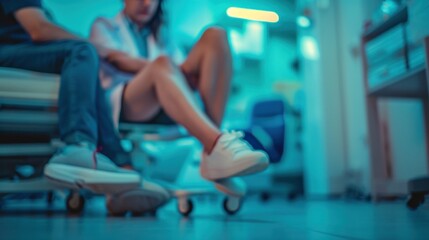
x: 29, y: 40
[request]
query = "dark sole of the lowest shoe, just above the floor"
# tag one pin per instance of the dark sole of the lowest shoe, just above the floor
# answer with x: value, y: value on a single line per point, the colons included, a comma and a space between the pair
x: 136, y: 201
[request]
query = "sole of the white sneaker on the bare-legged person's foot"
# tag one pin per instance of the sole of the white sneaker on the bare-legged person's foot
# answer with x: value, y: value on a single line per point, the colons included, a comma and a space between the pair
x: 235, y: 171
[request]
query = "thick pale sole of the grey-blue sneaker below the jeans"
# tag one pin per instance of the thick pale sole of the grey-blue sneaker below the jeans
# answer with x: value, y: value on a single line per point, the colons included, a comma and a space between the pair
x: 94, y: 180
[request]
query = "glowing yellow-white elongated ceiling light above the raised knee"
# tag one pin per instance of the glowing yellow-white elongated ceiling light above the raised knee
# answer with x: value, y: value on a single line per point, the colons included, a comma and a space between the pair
x: 252, y: 14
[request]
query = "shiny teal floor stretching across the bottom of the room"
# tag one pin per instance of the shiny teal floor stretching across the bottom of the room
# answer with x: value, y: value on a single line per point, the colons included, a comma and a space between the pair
x: 276, y: 219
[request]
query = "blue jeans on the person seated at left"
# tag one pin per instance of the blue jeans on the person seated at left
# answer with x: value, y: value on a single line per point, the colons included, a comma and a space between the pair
x: 84, y: 115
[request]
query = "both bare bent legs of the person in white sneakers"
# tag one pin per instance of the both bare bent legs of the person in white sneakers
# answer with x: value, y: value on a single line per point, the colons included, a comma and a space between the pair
x: 161, y: 84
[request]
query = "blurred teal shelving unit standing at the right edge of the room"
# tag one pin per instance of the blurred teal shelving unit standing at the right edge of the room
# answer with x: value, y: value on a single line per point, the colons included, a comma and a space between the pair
x: 391, y: 76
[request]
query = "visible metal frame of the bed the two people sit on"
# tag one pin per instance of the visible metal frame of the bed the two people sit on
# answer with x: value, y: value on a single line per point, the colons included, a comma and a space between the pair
x: 35, y: 112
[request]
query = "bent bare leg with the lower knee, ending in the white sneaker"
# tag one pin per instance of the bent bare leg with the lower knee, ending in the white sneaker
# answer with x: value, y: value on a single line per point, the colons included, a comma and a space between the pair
x: 162, y: 85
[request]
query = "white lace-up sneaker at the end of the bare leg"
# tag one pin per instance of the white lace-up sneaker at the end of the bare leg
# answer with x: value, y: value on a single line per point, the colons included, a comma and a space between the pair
x: 232, y: 156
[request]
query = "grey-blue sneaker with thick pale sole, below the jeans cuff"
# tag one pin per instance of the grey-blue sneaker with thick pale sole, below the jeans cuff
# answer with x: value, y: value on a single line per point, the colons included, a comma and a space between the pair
x: 79, y: 166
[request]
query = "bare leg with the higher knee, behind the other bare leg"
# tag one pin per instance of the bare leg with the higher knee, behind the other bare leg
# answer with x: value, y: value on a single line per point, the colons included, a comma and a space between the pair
x: 209, y: 68
